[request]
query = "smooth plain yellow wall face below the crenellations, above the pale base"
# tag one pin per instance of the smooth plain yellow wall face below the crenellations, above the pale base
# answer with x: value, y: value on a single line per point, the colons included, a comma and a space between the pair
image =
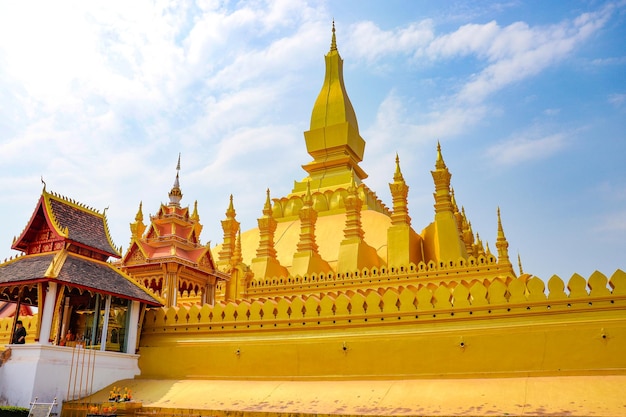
x: 540, y: 349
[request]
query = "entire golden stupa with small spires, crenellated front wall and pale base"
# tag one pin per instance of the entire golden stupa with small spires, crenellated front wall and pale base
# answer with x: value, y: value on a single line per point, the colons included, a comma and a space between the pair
x: 337, y: 305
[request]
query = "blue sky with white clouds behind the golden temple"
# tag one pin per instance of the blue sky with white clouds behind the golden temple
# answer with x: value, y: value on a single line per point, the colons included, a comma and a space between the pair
x: 528, y: 100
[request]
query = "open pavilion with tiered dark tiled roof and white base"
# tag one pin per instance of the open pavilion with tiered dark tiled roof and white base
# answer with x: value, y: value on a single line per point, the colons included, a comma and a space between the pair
x: 64, y: 273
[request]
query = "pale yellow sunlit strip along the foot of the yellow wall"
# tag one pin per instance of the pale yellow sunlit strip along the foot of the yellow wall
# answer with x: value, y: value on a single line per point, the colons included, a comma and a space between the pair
x: 520, y: 396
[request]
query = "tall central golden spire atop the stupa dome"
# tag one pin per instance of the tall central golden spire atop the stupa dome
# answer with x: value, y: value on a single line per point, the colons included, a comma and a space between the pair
x: 333, y: 139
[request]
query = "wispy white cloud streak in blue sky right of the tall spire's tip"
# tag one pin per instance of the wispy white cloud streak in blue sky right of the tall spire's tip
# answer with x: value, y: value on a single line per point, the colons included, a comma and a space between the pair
x: 509, y: 54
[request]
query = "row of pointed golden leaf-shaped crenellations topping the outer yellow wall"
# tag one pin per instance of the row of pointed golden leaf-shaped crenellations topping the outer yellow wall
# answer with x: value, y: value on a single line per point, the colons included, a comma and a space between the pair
x: 526, y: 296
